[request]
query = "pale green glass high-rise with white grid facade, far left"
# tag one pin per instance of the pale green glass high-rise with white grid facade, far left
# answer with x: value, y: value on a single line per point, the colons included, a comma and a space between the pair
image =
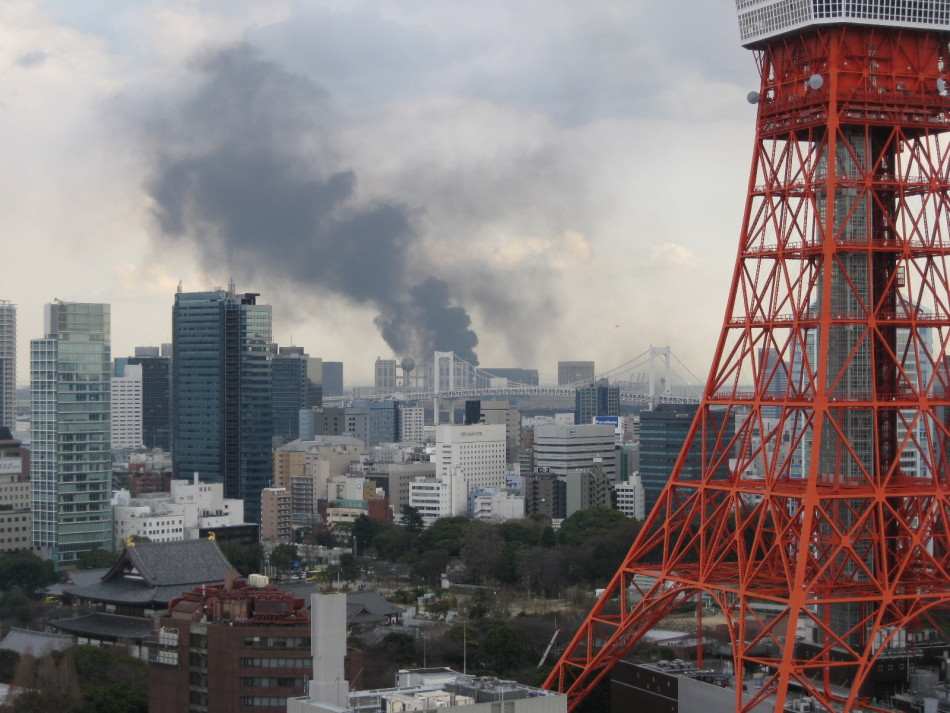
x: 71, y: 463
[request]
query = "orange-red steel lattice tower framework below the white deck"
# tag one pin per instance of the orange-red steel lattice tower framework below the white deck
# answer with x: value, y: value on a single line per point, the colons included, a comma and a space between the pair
x: 831, y: 367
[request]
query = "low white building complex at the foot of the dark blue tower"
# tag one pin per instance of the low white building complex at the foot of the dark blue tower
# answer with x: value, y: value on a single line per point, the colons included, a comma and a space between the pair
x: 177, y: 515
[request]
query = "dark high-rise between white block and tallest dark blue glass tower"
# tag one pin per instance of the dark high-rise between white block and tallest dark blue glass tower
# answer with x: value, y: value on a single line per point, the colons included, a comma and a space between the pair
x: 156, y: 393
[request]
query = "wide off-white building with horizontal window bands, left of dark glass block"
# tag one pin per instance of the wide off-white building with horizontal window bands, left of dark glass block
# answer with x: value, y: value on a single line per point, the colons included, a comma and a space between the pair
x: 566, y: 449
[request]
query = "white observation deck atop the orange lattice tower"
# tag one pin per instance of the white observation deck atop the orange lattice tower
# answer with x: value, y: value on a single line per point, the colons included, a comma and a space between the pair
x: 761, y: 20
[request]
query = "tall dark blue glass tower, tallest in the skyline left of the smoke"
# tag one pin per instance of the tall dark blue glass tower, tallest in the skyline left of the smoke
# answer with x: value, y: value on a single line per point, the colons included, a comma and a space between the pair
x: 221, y: 384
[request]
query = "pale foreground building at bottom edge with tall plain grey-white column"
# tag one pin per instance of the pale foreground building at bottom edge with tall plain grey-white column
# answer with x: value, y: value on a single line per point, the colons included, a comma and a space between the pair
x: 415, y: 690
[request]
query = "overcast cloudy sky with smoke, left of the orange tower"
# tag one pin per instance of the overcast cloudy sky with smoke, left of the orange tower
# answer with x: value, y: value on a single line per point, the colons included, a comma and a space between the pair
x: 568, y: 176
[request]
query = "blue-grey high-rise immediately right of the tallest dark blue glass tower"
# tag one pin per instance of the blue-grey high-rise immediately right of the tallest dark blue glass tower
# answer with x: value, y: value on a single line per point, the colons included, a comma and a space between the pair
x: 296, y: 384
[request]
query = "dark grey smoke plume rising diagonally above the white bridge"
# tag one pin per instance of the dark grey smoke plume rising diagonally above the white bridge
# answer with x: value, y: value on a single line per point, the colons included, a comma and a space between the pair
x: 245, y: 170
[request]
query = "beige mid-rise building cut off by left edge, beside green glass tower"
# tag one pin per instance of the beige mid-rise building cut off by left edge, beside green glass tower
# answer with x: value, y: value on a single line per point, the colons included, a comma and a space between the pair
x: 14, y: 493
